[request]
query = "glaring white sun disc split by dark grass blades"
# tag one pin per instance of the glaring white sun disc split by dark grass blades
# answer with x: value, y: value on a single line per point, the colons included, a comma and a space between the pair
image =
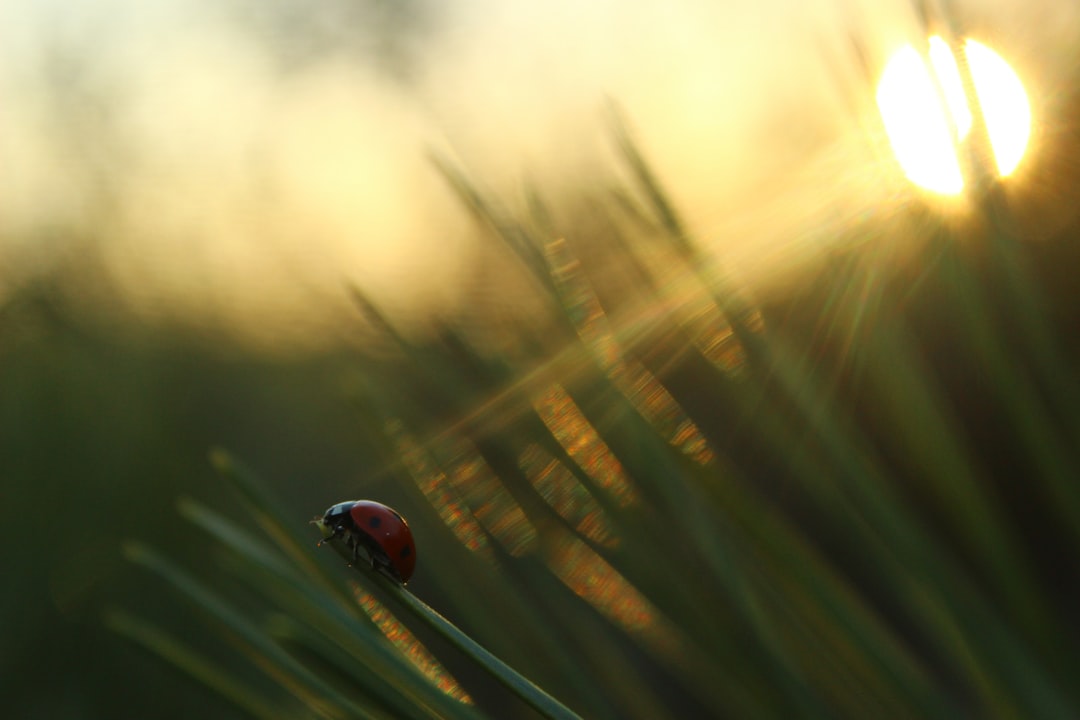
x: 926, y: 113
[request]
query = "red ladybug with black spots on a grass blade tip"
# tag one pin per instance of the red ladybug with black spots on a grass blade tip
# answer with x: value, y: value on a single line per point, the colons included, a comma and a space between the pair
x: 379, y: 531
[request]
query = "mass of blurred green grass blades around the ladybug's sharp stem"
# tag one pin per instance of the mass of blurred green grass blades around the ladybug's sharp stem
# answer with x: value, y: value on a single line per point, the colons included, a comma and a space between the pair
x: 855, y: 502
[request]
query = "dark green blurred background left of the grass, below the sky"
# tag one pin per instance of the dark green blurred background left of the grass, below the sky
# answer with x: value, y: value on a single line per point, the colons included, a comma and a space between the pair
x: 101, y: 431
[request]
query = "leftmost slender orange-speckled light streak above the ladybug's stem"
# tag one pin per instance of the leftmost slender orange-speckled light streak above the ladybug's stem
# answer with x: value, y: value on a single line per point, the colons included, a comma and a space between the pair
x: 440, y: 493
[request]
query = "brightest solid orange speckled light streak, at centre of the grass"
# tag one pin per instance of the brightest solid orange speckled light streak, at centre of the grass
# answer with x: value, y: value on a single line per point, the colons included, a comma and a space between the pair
x: 583, y: 443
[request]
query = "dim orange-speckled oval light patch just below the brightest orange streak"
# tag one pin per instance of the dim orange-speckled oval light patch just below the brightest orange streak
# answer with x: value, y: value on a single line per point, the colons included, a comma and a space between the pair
x: 565, y: 495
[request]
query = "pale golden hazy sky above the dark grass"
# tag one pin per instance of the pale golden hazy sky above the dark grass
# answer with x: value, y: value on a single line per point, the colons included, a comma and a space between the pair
x: 245, y: 164
